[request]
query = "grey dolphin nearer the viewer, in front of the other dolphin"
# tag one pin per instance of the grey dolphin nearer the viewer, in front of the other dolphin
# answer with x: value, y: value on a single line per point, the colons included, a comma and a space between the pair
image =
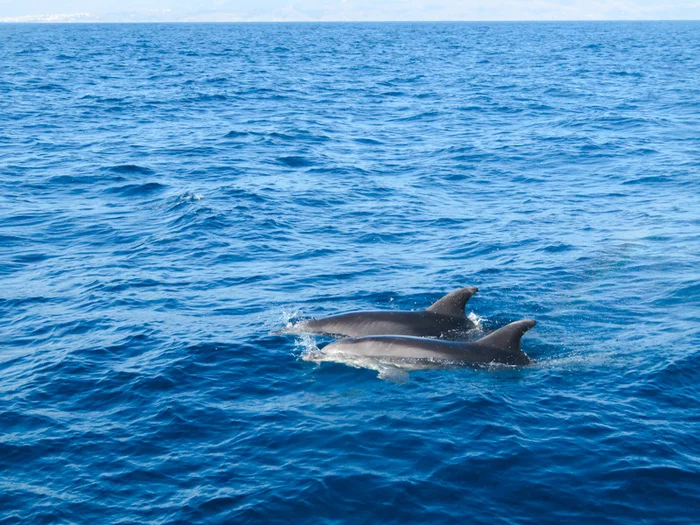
x: 501, y: 346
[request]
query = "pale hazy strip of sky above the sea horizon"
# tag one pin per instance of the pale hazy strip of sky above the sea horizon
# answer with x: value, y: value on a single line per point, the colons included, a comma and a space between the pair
x: 341, y: 10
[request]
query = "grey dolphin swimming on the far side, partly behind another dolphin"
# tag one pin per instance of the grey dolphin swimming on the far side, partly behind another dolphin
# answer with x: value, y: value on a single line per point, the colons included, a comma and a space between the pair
x: 445, y: 319
